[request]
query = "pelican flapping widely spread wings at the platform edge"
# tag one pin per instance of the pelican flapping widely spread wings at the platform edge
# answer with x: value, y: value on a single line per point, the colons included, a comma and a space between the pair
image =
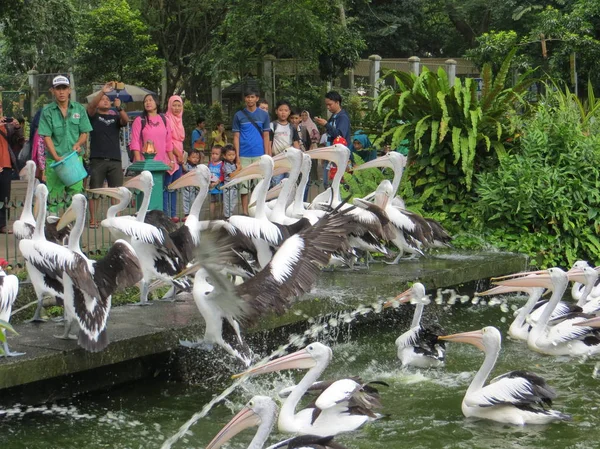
x: 291, y: 273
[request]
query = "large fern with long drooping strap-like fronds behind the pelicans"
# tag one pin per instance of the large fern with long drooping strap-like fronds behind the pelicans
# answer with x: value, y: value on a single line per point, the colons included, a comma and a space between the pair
x: 454, y: 134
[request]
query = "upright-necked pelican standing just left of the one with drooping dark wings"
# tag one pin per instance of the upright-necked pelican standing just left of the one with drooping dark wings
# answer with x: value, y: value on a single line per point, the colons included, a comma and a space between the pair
x: 43, y: 280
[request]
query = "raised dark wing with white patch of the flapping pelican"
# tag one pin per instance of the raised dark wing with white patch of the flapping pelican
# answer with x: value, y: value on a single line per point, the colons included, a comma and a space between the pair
x: 296, y: 265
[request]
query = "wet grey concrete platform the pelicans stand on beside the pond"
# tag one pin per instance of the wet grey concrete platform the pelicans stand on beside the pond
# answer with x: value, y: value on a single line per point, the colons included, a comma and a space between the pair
x: 141, y: 332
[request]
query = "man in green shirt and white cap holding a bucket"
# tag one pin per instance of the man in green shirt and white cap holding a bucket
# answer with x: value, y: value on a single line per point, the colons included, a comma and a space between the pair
x: 64, y: 124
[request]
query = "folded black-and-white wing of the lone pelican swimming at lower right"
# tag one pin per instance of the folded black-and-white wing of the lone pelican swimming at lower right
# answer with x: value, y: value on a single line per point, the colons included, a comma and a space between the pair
x: 514, y: 388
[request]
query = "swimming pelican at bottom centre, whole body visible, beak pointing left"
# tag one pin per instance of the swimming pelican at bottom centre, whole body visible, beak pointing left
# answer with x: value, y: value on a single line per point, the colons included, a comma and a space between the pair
x: 343, y: 407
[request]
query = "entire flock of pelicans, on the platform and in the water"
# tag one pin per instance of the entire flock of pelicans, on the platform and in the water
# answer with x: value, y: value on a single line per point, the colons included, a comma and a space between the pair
x: 247, y: 266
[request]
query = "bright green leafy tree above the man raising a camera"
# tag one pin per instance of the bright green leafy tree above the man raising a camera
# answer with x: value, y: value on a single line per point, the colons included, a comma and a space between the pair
x: 114, y: 43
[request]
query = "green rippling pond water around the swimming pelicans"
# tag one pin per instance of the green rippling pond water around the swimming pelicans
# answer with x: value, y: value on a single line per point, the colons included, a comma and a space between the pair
x: 423, y: 407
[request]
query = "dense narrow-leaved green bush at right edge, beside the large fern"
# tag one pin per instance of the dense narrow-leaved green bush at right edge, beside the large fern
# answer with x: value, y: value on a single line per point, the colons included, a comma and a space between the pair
x: 544, y: 200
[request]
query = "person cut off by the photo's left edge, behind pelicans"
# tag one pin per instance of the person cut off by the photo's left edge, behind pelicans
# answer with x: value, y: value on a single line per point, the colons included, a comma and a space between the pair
x: 11, y: 136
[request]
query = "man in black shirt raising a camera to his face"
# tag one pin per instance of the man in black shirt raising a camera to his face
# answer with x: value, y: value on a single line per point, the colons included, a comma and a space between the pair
x: 105, y: 151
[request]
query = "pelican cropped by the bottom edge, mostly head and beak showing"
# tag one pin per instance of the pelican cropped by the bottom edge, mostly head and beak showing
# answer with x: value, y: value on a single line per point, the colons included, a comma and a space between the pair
x: 261, y: 411
